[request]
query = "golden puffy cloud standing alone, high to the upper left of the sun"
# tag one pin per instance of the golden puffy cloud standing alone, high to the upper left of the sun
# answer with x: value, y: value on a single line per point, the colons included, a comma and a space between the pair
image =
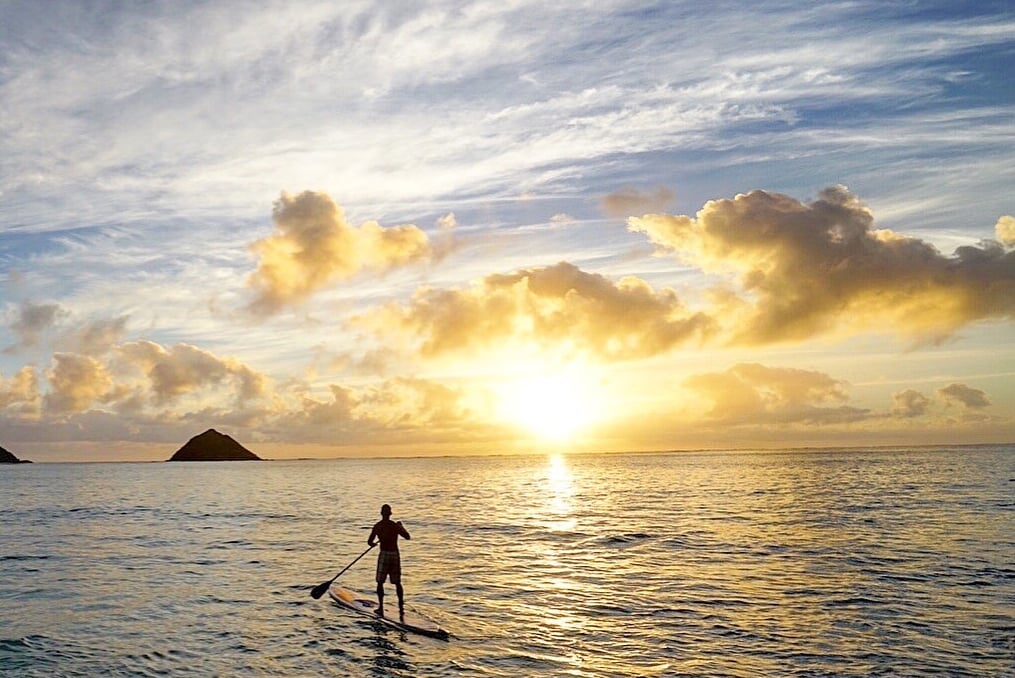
x: 313, y: 246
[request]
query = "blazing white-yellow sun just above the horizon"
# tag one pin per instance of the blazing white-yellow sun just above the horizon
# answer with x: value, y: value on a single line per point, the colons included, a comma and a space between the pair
x: 556, y: 408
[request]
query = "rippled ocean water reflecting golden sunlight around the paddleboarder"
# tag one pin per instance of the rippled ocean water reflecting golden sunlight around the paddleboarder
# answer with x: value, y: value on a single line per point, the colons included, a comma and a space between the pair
x: 844, y: 563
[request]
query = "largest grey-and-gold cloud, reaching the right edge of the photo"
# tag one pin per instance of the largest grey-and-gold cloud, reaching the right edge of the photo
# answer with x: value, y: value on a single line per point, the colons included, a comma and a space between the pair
x: 805, y: 269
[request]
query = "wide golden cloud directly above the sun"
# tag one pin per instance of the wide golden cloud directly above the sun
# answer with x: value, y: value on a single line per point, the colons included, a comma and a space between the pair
x: 555, y: 307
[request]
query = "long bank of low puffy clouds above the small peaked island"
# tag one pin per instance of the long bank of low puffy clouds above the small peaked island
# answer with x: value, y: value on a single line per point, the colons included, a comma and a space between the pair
x: 170, y: 390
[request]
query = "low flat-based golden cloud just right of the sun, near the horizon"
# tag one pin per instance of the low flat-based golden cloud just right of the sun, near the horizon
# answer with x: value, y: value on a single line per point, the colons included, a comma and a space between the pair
x: 756, y: 394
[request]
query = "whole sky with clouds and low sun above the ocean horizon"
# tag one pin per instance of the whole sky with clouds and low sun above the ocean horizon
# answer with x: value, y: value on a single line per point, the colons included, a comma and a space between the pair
x: 402, y: 229
